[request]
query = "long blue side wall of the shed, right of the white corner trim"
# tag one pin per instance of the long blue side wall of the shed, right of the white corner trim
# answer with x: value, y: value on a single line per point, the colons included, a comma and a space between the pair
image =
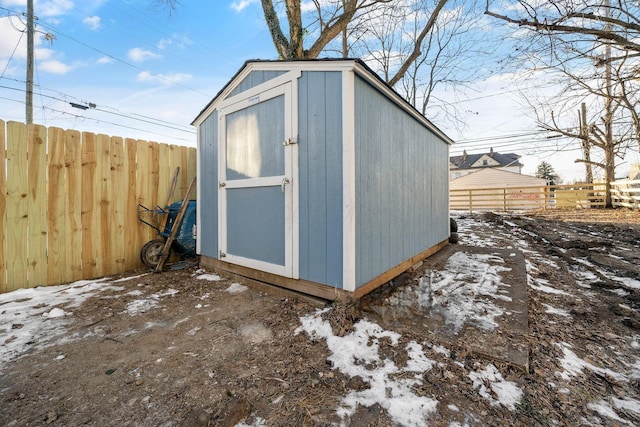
x: 401, y: 185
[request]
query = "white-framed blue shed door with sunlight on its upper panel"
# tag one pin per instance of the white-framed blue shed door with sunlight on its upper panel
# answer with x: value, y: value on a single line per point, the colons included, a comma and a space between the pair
x: 256, y: 181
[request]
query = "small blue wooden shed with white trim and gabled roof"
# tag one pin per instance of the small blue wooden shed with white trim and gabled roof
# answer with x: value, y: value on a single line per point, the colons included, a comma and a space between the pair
x: 316, y: 176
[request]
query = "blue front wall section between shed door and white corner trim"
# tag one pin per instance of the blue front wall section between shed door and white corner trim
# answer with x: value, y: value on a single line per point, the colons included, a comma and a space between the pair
x: 320, y: 176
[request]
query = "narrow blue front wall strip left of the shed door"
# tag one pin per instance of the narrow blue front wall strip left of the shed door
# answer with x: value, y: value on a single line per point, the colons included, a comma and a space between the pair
x: 208, y: 202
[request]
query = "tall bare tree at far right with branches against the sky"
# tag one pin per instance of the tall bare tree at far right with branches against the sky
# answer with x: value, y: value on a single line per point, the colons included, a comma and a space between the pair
x: 593, y: 46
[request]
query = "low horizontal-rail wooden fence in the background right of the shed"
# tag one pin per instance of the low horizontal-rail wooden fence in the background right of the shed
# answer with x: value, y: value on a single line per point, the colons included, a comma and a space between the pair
x: 569, y: 196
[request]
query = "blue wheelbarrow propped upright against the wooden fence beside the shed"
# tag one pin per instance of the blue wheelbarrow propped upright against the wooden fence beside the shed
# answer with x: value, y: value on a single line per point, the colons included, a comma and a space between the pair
x: 164, y: 221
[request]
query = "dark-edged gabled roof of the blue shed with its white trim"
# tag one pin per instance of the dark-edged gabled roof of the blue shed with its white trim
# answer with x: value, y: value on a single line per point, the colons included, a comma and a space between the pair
x: 359, y: 66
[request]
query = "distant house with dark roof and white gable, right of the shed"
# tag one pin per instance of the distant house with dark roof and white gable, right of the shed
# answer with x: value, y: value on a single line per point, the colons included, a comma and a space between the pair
x: 467, y: 163
